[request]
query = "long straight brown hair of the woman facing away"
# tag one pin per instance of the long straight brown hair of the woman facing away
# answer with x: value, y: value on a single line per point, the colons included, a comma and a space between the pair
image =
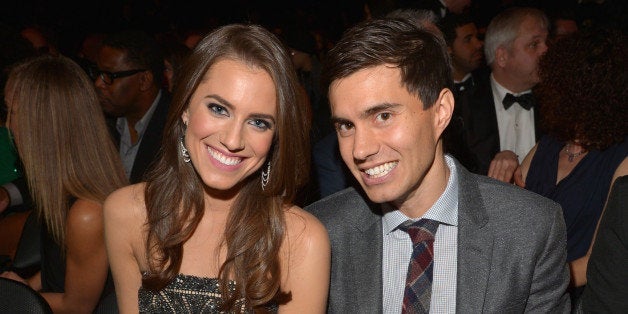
x: 61, y: 137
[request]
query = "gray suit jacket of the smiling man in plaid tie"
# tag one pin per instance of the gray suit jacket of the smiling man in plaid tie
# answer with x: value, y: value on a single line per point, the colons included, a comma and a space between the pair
x: 511, y: 250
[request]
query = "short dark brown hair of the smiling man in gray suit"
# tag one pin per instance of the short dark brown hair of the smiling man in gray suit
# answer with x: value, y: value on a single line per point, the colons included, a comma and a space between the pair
x: 420, y: 55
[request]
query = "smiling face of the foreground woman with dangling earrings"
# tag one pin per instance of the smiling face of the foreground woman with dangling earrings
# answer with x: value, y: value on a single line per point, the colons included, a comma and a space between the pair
x: 231, y: 121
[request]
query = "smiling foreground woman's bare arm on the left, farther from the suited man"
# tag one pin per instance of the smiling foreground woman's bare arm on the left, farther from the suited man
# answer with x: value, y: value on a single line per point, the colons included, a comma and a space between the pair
x: 123, y: 231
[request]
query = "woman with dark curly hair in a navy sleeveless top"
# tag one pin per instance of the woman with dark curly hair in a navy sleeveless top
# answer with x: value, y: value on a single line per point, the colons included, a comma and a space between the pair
x: 583, y: 105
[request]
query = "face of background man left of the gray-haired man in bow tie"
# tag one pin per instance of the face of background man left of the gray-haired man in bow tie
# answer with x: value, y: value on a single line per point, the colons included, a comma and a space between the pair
x: 466, y: 50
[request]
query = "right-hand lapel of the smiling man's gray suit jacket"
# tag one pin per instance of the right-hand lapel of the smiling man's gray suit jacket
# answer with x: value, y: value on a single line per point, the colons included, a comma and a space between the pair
x: 475, y: 246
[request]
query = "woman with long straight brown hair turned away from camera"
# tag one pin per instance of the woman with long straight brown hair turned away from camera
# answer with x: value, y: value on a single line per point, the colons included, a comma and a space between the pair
x: 71, y: 166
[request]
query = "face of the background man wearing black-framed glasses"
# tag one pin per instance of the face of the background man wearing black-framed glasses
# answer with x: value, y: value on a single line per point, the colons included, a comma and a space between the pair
x: 119, y: 98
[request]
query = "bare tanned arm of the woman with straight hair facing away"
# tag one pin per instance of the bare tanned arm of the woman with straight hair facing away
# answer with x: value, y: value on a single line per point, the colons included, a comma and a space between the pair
x: 86, y: 260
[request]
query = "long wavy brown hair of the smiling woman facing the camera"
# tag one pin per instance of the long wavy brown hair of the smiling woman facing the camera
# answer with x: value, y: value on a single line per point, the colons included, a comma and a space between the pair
x: 256, y: 223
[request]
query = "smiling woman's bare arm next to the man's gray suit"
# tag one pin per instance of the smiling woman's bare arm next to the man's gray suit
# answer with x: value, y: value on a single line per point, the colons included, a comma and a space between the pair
x: 306, y: 274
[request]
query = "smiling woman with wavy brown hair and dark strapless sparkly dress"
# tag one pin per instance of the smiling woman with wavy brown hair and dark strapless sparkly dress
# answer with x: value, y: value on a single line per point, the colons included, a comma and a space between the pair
x: 213, y: 228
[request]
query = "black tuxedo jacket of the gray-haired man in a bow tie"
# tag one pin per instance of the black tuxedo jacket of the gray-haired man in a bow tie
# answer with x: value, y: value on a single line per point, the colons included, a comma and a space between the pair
x: 480, y: 123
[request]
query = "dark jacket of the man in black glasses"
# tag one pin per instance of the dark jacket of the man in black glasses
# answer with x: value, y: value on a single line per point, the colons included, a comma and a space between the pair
x: 148, y: 151
